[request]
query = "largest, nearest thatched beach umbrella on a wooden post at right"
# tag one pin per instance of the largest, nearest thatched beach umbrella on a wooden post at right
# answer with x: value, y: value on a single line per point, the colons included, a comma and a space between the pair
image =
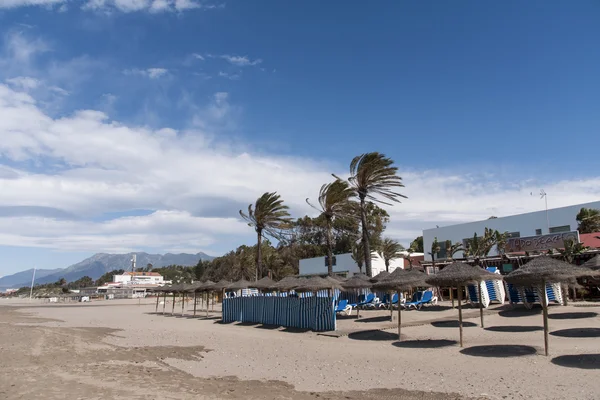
x: 542, y: 270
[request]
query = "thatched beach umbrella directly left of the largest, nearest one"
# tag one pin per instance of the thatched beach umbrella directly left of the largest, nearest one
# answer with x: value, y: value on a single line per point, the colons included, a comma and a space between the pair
x: 460, y: 274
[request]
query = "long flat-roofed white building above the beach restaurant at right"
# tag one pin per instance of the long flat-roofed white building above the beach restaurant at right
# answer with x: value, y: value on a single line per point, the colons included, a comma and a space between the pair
x: 556, y: 220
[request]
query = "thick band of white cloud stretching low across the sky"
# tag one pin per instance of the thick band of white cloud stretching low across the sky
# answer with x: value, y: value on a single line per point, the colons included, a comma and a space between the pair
x: 197, y: 184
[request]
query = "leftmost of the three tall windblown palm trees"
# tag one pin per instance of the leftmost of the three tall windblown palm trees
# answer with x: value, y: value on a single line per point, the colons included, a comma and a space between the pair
x: 269, y: 216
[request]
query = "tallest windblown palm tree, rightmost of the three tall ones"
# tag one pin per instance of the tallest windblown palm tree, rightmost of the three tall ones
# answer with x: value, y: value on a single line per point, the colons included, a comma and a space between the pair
x: 373, y: 177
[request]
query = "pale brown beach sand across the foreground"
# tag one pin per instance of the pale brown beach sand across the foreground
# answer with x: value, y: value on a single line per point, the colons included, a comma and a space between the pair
x: 119, y: 349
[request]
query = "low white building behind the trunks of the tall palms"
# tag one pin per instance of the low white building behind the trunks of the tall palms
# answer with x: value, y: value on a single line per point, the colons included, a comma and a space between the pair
x: 344, y: 264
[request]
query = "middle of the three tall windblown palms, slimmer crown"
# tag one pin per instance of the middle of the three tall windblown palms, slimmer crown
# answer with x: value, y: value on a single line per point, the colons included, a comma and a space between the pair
x: 334, y: 201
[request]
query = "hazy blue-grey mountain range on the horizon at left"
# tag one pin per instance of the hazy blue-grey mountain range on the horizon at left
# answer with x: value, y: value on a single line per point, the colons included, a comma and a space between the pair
x: 99, y: 264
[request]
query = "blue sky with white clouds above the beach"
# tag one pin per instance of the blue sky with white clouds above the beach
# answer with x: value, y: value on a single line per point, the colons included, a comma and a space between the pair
x: 146, y: 125
